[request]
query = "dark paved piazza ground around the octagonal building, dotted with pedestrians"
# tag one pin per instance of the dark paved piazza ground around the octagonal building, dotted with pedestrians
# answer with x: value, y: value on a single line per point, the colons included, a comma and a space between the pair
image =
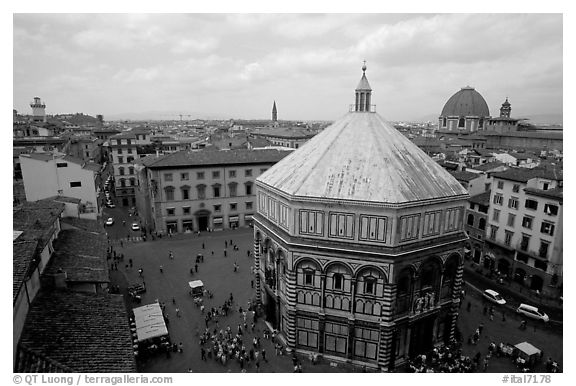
x: 217, y: 273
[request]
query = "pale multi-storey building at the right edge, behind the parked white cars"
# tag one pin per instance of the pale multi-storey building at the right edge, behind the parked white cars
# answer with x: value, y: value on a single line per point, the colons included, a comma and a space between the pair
x: 524, y: 236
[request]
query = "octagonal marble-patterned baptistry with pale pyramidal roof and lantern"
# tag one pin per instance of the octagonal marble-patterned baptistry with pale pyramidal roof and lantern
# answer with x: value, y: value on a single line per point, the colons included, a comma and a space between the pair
x: 358, y: 244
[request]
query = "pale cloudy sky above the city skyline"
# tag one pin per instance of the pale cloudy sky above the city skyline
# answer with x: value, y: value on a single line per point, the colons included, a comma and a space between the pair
x: 236, y: 65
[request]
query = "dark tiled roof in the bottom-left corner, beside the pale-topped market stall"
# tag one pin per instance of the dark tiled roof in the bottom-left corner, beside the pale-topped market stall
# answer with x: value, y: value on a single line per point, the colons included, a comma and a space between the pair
x: 84, y: 332
